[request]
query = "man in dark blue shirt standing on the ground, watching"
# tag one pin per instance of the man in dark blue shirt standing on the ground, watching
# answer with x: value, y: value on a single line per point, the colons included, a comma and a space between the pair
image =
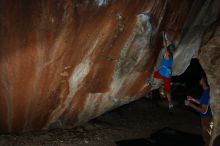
x: 203, y: 107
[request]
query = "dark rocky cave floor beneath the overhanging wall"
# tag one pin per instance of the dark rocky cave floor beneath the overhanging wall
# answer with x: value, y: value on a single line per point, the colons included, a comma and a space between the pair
x: 132, y: 121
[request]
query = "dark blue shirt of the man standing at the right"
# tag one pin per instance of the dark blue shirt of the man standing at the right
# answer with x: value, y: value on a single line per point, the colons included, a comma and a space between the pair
x: 205, y: 100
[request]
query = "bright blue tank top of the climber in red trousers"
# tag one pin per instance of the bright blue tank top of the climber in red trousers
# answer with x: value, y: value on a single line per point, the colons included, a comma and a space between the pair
x: 165, y: 68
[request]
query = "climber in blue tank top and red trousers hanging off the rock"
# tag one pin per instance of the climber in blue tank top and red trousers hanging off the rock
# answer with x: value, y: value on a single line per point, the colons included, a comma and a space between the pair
x: 164, y: 72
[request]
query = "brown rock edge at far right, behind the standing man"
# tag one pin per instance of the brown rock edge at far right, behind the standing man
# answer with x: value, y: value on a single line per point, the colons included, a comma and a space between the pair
x: 210, y: 60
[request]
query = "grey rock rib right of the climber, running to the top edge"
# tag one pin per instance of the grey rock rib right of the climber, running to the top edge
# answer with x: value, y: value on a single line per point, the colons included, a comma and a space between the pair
x: 195, y: 26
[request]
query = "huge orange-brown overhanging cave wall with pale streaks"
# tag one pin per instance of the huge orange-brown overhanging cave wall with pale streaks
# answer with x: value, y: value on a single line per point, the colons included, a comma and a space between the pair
x: 65, y: 62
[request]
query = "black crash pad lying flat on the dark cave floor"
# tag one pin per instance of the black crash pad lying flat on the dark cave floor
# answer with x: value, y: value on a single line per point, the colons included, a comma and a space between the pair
x: 165, y: 137
